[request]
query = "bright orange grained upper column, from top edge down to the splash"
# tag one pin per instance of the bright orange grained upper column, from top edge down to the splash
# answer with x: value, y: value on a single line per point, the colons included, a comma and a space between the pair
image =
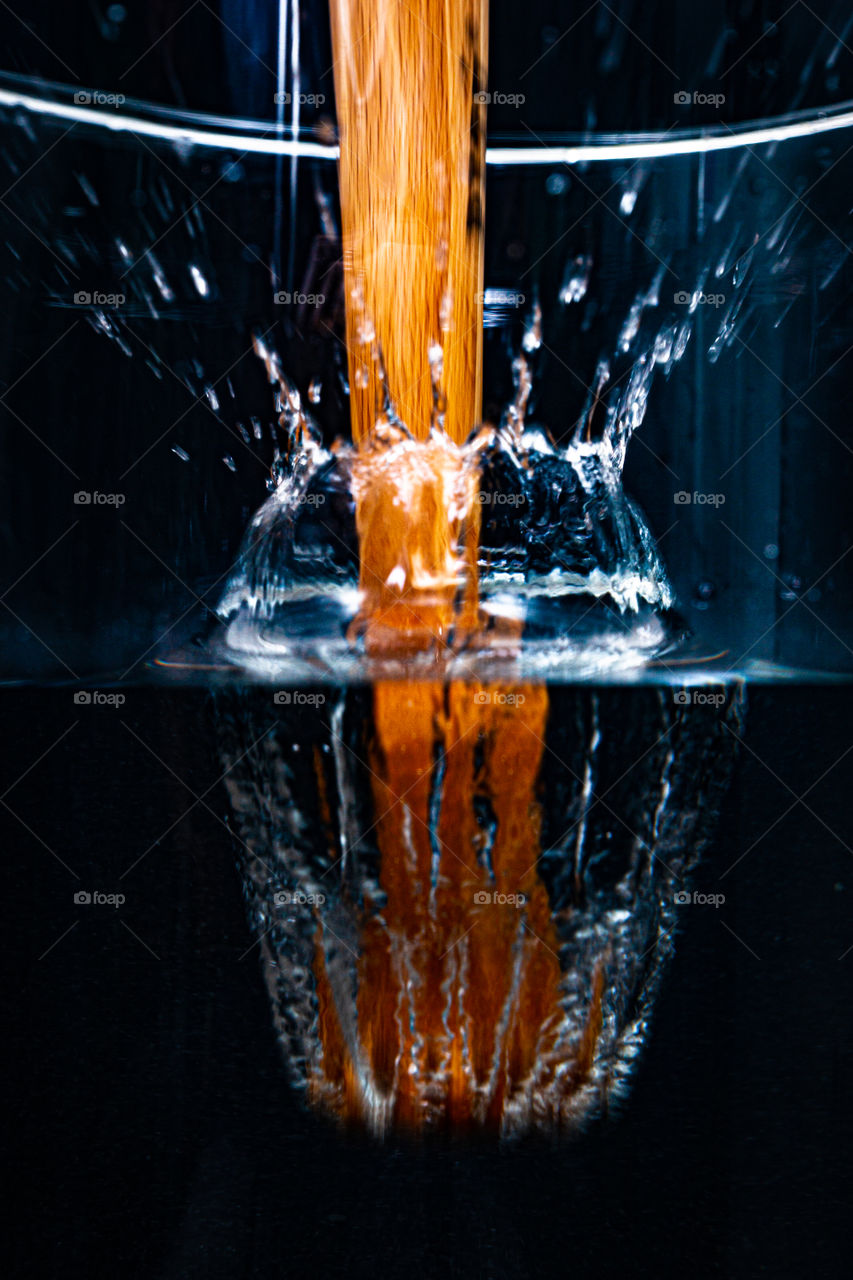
x: 409, y: 84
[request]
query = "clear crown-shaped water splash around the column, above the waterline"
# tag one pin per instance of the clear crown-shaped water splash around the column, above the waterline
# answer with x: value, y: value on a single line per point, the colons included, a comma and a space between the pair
x: 562, y: 551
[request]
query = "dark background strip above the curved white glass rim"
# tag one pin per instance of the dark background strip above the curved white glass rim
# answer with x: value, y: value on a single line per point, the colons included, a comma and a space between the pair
x: 609, y: 67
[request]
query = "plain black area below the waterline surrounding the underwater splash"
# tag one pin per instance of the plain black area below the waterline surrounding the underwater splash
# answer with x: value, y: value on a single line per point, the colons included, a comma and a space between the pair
x: 152, y: 1132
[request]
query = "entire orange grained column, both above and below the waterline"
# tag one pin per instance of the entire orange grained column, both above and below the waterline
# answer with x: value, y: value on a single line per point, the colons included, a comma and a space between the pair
x: 458, y: 999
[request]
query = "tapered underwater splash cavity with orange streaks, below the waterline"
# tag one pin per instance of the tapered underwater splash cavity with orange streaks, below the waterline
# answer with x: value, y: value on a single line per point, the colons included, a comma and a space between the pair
x: 498, y: 868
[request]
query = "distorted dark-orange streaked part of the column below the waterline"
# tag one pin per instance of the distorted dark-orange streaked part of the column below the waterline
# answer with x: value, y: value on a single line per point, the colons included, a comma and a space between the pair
x: 458, y: 1004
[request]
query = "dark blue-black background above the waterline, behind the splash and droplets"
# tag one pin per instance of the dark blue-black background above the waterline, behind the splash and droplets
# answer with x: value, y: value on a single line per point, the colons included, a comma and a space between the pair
x: 97, y: 592
